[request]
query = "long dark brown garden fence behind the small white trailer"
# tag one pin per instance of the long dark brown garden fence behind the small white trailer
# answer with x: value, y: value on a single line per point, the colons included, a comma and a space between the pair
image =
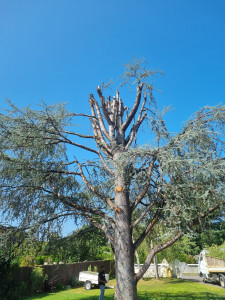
x: 63, y: 273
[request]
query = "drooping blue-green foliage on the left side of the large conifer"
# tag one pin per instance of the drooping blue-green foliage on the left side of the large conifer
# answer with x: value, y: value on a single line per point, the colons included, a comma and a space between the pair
x: 26, y: 162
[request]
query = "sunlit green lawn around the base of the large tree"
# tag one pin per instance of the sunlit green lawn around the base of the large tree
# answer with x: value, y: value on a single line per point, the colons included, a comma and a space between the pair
x: 162, y: 289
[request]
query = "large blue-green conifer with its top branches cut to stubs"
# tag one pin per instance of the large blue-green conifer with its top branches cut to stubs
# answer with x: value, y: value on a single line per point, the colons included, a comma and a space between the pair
x: 176, y: 180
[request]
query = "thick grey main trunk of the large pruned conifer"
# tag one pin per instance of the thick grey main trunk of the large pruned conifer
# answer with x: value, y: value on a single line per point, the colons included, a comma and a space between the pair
x: 126, y: 287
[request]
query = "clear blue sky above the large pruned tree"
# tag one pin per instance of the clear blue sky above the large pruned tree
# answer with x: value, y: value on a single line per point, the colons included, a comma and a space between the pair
x: 60, y: 50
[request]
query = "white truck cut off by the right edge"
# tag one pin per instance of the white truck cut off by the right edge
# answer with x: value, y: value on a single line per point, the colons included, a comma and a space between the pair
x: 211, y: 269
